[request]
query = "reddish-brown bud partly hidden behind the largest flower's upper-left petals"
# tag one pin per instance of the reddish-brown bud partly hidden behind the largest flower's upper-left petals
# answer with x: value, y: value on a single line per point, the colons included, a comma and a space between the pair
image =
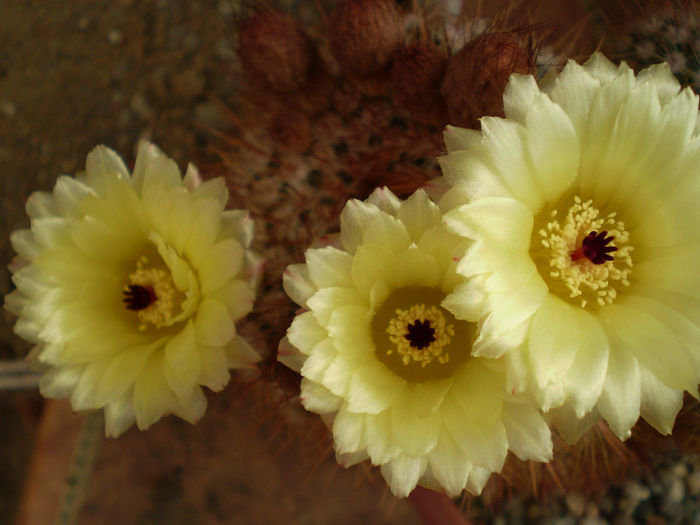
x: 477, y: 76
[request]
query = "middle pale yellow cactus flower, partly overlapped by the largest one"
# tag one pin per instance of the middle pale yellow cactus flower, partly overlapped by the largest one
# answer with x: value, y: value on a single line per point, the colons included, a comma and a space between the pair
x: 389, y: 367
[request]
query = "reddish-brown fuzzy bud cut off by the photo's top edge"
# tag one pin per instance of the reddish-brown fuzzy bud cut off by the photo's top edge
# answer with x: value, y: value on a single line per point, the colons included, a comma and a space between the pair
x: 365, y: 34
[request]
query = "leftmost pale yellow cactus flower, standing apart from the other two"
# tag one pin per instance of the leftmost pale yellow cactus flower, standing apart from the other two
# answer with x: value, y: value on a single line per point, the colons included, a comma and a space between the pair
x: 129, y: 286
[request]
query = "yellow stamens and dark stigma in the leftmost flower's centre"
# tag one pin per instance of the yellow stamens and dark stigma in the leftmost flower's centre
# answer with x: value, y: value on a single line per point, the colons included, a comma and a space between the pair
x: 151, y: 294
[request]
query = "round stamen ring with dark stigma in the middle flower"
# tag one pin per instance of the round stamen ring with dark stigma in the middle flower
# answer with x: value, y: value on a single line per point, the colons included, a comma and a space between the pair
x: 420, y: 335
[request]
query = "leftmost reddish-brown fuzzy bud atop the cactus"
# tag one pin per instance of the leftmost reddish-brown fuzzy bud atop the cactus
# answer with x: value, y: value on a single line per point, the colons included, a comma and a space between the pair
x: 275, y: 53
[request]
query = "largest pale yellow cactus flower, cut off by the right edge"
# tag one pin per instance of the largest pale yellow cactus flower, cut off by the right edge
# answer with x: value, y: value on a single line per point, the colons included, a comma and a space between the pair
x: 583, y: 205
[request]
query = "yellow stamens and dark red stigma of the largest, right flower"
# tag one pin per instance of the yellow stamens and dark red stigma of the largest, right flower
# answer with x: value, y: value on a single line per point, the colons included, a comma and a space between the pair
x: 580, y: 252
